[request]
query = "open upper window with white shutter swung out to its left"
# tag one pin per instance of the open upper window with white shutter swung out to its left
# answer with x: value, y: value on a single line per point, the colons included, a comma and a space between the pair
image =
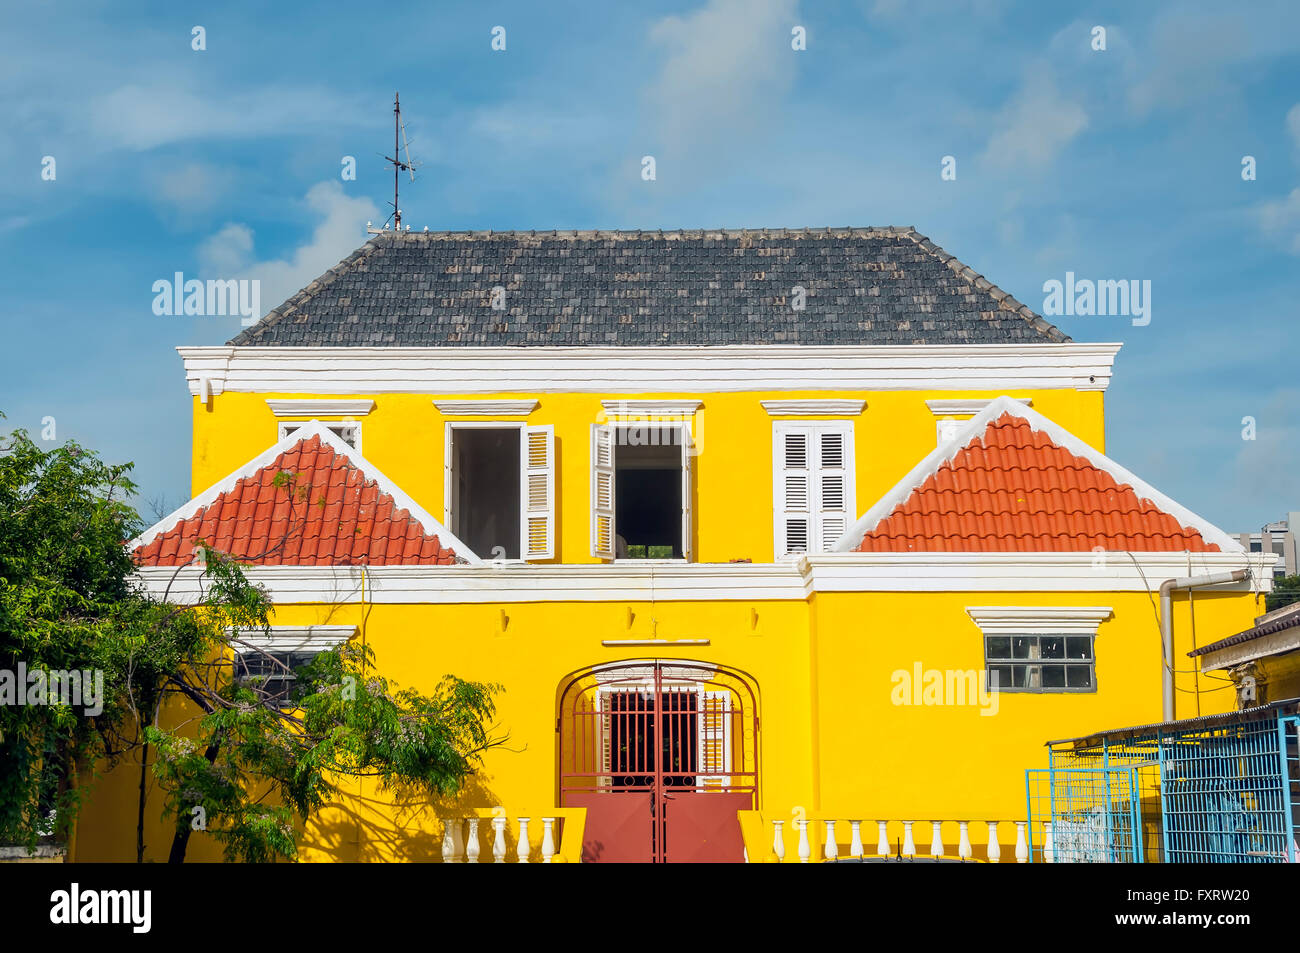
x: 642, y: 491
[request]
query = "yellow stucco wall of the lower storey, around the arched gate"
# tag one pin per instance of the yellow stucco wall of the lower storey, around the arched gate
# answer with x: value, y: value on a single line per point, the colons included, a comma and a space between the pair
x: 833, y: 739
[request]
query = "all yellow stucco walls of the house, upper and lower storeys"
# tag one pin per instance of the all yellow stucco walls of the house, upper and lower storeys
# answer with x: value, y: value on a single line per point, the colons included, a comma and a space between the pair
x: 833, y: 739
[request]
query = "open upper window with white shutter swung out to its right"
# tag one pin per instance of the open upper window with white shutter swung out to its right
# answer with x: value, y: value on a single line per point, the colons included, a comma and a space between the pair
x: 501, y: 490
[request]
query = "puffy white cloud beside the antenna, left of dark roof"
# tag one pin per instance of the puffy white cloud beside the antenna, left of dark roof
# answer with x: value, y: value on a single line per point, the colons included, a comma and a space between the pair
x: 229, y: 254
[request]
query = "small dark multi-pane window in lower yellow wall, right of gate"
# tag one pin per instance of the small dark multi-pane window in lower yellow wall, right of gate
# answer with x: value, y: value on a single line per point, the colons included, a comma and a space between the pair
x: 1039, y: 664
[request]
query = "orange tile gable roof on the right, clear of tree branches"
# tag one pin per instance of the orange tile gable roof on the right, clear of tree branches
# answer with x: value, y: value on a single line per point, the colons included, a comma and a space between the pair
x: 1015, y: 490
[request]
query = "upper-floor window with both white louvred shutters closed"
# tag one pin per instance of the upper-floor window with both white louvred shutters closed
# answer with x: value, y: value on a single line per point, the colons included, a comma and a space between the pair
x: 816, y: 513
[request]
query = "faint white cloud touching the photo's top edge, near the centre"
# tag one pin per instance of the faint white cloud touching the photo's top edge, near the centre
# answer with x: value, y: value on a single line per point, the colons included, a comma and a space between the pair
x: 729, y: 68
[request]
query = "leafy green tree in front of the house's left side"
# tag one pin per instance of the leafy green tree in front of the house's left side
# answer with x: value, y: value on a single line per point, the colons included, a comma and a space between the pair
x: 249, y: 765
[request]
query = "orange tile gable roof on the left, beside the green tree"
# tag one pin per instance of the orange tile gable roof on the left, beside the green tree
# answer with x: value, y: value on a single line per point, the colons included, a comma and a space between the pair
x: 328, y: 514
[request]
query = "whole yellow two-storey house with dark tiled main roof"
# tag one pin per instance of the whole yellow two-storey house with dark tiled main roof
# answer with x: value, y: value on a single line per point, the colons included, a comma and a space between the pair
x: 808, y: 523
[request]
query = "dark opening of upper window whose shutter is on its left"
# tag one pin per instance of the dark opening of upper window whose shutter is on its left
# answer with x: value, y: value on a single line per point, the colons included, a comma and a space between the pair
x: 648, y: 493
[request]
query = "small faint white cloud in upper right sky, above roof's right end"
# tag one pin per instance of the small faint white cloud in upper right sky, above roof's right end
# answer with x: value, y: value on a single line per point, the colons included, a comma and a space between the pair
x: 1035, y: 125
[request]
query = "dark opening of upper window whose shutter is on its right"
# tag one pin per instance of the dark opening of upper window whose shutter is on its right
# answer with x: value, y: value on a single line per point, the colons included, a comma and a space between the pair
x: 486, y: 491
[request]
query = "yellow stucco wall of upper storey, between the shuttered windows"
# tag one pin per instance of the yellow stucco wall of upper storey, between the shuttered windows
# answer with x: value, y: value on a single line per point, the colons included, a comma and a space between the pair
x: 733, y: 516
